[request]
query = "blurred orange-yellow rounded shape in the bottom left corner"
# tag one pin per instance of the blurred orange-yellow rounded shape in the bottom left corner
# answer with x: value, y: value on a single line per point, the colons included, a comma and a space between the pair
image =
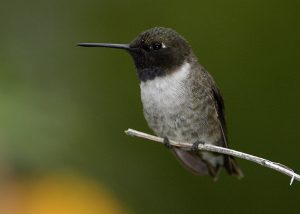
x: 60, y: 194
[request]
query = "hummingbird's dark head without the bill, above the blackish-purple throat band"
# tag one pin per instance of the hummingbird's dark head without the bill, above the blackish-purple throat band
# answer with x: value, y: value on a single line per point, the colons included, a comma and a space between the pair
x: 159, y: 47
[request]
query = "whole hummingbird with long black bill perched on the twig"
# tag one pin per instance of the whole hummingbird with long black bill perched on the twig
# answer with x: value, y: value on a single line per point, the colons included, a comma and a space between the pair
x: 181, y: 100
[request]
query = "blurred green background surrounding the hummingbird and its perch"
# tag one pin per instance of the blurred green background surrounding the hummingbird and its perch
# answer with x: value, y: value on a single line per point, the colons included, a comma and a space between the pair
x: 65, y: 108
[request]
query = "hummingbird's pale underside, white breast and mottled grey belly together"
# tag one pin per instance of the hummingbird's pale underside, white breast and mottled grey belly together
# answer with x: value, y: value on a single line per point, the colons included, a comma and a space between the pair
x: 172, y: 111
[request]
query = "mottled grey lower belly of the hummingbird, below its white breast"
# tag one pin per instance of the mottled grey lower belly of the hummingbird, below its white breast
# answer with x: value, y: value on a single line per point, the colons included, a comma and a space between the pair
x: 173, y: 118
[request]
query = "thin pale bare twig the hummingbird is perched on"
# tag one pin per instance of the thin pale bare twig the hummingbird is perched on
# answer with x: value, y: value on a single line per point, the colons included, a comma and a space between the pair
x: 211, y: 148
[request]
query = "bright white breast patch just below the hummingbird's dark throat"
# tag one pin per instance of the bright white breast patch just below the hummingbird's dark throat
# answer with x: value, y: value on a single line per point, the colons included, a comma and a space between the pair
x: 164, y: 92
